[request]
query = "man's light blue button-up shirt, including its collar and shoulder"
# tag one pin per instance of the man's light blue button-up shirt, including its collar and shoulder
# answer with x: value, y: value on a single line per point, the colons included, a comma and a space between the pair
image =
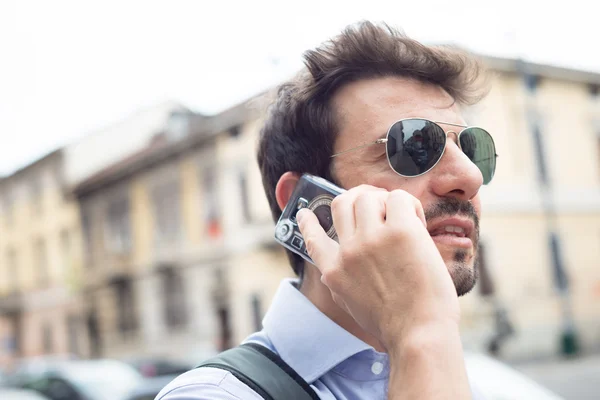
x: 336, y: 364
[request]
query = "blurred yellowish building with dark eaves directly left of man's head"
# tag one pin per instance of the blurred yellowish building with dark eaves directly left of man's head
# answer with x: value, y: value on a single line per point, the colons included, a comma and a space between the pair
x: 178, y: 242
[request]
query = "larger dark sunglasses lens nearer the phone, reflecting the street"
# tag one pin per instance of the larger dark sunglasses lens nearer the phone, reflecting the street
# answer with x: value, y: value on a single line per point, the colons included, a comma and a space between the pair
x: 414, y: 146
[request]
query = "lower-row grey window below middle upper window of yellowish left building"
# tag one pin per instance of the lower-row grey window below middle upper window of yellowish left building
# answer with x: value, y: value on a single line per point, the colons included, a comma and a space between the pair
x: 175, y: 312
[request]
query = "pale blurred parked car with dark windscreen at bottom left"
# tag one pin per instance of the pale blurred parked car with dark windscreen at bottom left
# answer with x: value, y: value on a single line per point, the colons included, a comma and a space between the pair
x: 83, y: 380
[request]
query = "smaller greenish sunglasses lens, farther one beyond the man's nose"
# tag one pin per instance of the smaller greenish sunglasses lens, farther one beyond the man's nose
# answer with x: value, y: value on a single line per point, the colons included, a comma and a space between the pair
x: 479, y: 146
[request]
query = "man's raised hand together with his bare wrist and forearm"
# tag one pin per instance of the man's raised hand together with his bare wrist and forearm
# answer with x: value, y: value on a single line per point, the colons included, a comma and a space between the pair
x: 387, y: 273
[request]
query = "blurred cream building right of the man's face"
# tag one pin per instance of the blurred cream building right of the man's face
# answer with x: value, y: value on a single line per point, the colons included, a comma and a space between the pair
x: 541, y: 215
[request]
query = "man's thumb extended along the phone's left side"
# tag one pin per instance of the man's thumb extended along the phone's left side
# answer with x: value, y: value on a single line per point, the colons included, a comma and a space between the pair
x: 321, y: 248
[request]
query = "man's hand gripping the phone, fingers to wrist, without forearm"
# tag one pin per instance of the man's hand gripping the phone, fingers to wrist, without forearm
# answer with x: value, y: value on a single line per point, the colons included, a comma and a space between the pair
x: 386, y: 271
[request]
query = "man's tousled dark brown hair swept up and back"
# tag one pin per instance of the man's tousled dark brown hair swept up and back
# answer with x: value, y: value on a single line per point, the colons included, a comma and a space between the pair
x: 300, y: 128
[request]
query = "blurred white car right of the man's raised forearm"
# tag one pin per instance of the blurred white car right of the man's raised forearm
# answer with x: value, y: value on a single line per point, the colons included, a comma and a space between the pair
x: 498, y: 381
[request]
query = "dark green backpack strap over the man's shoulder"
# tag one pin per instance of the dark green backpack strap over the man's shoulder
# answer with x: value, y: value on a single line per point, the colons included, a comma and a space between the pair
x: 264, y: 372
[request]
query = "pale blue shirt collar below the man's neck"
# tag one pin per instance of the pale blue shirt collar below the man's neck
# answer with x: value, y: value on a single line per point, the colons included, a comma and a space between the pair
x: 305, y: 338
